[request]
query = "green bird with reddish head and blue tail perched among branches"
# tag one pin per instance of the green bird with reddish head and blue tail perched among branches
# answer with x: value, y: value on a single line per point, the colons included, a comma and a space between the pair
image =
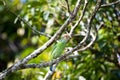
x: 59, y: 48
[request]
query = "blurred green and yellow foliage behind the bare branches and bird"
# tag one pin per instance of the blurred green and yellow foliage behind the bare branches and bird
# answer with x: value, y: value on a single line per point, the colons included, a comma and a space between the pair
x: 17, y: 40
